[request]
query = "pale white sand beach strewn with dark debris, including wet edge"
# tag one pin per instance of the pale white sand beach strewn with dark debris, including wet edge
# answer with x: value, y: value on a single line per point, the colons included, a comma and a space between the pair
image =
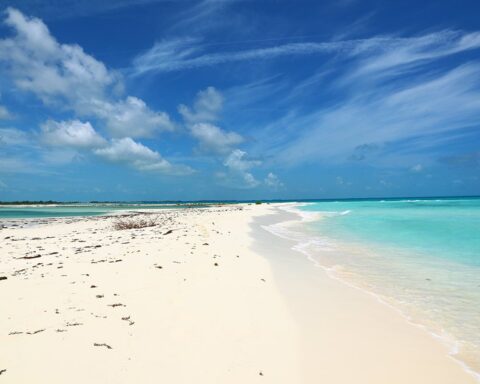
x: 205, y: 303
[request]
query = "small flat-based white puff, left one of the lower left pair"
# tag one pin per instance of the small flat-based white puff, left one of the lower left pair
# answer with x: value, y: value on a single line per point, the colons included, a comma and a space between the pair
x: 73, y: 133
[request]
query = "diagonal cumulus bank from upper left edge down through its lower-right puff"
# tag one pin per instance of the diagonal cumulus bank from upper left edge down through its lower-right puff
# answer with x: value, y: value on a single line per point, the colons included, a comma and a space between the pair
x: 63, y: 75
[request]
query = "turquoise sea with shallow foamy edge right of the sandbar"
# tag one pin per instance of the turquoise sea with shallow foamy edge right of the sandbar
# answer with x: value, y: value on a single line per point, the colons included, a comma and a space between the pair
x: 420, y: 256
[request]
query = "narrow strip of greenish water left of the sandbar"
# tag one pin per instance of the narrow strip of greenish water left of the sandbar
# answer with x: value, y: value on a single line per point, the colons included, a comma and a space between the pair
x: 70, y: 210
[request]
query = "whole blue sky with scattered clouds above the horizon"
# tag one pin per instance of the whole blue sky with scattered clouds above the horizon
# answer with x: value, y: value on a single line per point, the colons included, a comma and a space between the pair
x: 267, y: 99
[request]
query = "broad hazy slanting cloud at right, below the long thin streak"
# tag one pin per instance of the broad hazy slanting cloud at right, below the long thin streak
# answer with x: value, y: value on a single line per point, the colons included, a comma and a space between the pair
x: 430, y: 112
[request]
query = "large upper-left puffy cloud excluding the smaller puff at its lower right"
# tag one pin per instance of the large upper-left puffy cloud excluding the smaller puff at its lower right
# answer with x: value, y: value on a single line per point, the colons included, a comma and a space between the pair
x: 38, y: 63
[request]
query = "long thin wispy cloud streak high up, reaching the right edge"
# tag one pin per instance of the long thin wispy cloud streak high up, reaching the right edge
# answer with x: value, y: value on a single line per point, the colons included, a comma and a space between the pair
x: 180, y: 54
